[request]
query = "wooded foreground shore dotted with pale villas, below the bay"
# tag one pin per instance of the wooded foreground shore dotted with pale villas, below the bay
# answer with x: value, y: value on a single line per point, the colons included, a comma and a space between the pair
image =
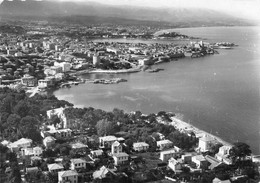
x: 67, y: 144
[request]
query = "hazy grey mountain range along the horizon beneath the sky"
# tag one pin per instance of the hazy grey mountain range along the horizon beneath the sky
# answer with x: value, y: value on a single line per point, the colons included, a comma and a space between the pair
x: 48, y: 8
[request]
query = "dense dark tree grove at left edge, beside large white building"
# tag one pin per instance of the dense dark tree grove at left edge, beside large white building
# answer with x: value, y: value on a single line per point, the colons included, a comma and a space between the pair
x: 21, y: 116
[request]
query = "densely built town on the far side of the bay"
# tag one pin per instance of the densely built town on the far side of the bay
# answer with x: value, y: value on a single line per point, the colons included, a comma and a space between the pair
x: 38, y: 57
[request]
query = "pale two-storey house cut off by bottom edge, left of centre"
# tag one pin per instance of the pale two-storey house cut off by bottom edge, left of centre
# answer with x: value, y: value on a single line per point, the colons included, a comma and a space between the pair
x: 68, y: 176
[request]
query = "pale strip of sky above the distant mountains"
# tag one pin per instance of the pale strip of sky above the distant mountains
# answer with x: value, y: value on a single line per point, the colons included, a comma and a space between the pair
x: 249, y: 9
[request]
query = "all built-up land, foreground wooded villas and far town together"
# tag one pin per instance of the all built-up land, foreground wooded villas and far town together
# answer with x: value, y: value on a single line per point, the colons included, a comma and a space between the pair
x: 47, y: 140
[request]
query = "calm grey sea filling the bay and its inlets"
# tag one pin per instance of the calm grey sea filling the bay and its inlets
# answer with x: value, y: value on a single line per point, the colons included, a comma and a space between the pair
x: 217, y: 93
